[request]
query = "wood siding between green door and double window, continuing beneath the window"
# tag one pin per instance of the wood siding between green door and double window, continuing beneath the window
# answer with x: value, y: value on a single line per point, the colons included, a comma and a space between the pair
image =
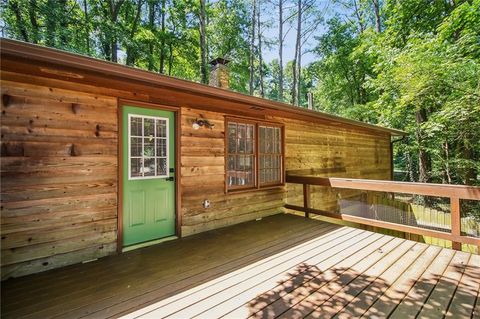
x: 203, y: 177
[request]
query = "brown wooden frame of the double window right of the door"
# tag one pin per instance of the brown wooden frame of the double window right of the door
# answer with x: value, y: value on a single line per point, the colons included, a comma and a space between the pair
x: 256, y: 154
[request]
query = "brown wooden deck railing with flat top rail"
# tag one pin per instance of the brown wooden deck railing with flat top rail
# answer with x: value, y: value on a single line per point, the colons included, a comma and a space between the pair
x: 453, y: 192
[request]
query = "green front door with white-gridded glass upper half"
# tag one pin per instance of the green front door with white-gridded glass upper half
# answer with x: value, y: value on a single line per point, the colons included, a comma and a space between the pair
x: 148, y: 174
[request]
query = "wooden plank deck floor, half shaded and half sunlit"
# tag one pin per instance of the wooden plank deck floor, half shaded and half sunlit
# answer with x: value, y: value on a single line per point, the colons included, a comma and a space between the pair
x: 282, y: 266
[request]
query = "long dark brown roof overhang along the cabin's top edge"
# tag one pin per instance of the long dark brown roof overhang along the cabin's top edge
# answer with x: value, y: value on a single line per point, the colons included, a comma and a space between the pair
x: 31, y: 53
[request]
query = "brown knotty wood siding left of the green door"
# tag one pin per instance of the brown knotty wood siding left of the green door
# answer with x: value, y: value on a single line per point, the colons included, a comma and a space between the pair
x: 59, y: 177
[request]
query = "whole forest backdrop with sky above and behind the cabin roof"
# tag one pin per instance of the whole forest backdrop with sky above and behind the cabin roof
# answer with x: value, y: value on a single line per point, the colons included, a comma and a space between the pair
x: 413, y: 65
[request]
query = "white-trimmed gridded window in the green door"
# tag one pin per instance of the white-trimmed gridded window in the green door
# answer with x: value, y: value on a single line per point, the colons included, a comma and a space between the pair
x: 148, y: 147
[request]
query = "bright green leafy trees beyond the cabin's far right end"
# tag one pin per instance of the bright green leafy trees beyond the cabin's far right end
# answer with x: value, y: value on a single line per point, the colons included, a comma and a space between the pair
x: 421, y: 75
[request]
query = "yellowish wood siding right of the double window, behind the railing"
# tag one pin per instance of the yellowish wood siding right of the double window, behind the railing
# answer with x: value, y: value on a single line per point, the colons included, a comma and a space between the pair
x: 332, y: 151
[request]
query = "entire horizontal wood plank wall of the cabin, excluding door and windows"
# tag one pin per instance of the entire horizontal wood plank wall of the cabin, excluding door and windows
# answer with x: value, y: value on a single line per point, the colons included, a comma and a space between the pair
x: 59, y: 170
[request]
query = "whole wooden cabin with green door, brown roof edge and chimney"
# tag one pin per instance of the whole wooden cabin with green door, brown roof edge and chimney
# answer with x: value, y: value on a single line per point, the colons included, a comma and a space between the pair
x: 99, y: 158
